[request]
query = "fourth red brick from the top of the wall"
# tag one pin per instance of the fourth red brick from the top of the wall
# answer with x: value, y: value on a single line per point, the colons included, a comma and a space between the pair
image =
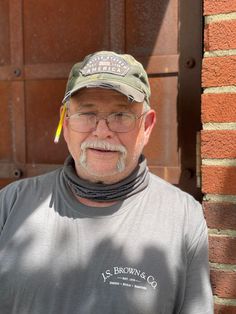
x: 218, y: 107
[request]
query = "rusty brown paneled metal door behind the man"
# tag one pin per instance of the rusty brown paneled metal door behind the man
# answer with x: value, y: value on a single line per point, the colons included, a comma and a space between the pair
x: 39, y: 42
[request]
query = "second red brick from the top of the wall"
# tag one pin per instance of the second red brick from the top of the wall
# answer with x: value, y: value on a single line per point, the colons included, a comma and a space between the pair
x: 220, y: 35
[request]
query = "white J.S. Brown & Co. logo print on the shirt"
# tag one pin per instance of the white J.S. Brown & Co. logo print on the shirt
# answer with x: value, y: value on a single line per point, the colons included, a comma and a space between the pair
x: 128, y: 277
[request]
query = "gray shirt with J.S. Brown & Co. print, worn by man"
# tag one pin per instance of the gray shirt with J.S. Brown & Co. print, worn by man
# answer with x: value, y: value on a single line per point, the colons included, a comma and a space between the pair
x: 145, y: 255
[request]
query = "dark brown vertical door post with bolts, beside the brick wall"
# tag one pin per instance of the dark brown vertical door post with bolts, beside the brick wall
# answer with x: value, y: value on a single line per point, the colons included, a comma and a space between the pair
x: 189, y: 98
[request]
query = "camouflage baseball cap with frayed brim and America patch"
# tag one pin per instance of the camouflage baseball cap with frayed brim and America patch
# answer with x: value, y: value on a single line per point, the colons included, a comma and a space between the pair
x: 107, y: 69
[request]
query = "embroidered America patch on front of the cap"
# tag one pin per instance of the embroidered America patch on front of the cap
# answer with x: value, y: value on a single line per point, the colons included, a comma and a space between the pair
x: 105, y: 64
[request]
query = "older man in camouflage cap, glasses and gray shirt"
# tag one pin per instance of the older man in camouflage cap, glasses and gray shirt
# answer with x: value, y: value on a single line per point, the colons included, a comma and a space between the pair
x: 102, y: 234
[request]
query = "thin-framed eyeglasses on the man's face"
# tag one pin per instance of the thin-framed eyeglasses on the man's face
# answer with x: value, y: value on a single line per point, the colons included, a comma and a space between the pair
x: 120, y: 122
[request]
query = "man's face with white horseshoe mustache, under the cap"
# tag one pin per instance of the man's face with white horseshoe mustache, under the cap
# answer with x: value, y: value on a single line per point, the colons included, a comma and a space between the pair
x: 103, y: 155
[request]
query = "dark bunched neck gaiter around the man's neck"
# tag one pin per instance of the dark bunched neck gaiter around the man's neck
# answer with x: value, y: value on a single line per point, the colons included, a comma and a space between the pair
x: 99, y: 192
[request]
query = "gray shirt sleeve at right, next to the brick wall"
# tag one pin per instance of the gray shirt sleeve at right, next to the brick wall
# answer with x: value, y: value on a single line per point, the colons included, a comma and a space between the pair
x: 198, y: 293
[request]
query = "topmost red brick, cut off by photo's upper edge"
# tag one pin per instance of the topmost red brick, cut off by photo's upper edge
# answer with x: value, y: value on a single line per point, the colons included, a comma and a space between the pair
x: 219, y: 6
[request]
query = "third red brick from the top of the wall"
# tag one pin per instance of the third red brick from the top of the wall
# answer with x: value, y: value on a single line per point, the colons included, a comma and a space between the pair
x: 219, y: 71
